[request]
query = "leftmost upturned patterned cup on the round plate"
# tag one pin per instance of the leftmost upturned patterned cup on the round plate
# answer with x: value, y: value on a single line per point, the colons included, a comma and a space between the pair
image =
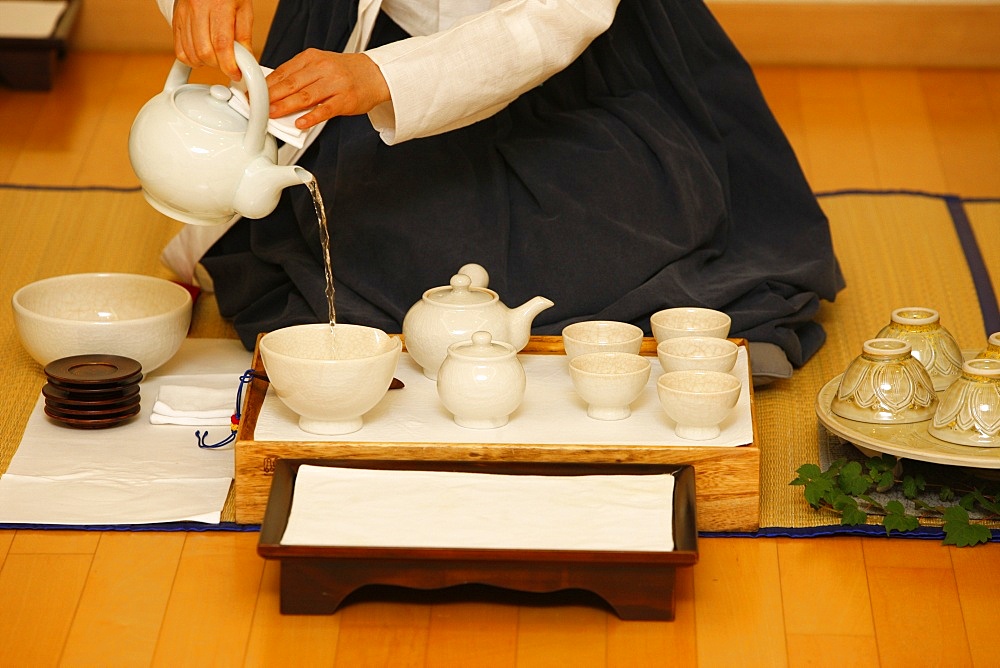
x: 885, y: 384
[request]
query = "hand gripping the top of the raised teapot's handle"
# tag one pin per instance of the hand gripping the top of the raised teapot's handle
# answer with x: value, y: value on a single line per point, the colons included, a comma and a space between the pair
x: 204, y: 32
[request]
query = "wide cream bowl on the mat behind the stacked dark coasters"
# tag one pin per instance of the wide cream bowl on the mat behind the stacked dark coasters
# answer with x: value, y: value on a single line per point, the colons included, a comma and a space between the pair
x: 140, y: 317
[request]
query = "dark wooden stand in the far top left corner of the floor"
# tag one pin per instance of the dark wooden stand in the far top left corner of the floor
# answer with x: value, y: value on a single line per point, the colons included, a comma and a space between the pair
x: 30, y: 64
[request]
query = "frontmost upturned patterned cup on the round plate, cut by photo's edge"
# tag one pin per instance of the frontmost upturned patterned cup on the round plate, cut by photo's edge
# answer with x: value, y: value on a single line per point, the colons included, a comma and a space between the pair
x: 969, y: 411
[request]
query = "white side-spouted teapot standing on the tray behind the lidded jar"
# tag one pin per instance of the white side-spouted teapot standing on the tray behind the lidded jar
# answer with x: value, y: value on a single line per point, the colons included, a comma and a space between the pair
x: 453, y: 313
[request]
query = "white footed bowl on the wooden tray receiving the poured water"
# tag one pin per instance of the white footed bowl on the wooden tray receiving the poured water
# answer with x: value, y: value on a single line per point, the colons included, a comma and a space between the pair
x: 330, y: 376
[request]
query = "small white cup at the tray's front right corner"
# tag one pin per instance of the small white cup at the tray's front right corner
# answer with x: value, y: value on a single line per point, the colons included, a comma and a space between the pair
x: 698, y: 401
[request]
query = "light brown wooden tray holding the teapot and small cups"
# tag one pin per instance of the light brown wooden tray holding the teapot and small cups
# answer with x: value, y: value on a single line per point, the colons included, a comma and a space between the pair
x: 728, y: 478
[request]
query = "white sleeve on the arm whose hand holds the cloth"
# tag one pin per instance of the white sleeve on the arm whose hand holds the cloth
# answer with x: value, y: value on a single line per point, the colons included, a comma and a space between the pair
x: 471, y: 71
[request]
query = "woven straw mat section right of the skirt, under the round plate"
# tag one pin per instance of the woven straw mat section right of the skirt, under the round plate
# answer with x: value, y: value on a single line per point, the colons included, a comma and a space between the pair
x: 897, y: 248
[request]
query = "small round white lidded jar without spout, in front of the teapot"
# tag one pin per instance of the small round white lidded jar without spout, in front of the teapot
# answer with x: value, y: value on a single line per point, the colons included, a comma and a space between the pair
x: 481, y: 382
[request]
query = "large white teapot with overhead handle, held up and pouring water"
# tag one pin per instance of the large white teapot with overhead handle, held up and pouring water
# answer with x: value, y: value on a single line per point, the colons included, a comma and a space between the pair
x: 199, y: 161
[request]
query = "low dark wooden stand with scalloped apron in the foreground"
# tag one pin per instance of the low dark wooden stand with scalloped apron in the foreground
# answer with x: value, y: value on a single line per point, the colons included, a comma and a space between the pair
x: 637, y: 585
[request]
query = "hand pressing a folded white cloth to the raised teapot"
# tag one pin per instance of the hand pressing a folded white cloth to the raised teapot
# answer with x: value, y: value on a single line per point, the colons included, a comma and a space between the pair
x: 331, y: 84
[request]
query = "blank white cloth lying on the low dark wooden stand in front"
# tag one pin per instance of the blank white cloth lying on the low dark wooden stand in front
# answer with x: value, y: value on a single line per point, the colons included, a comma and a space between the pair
x: 441, y: 509
